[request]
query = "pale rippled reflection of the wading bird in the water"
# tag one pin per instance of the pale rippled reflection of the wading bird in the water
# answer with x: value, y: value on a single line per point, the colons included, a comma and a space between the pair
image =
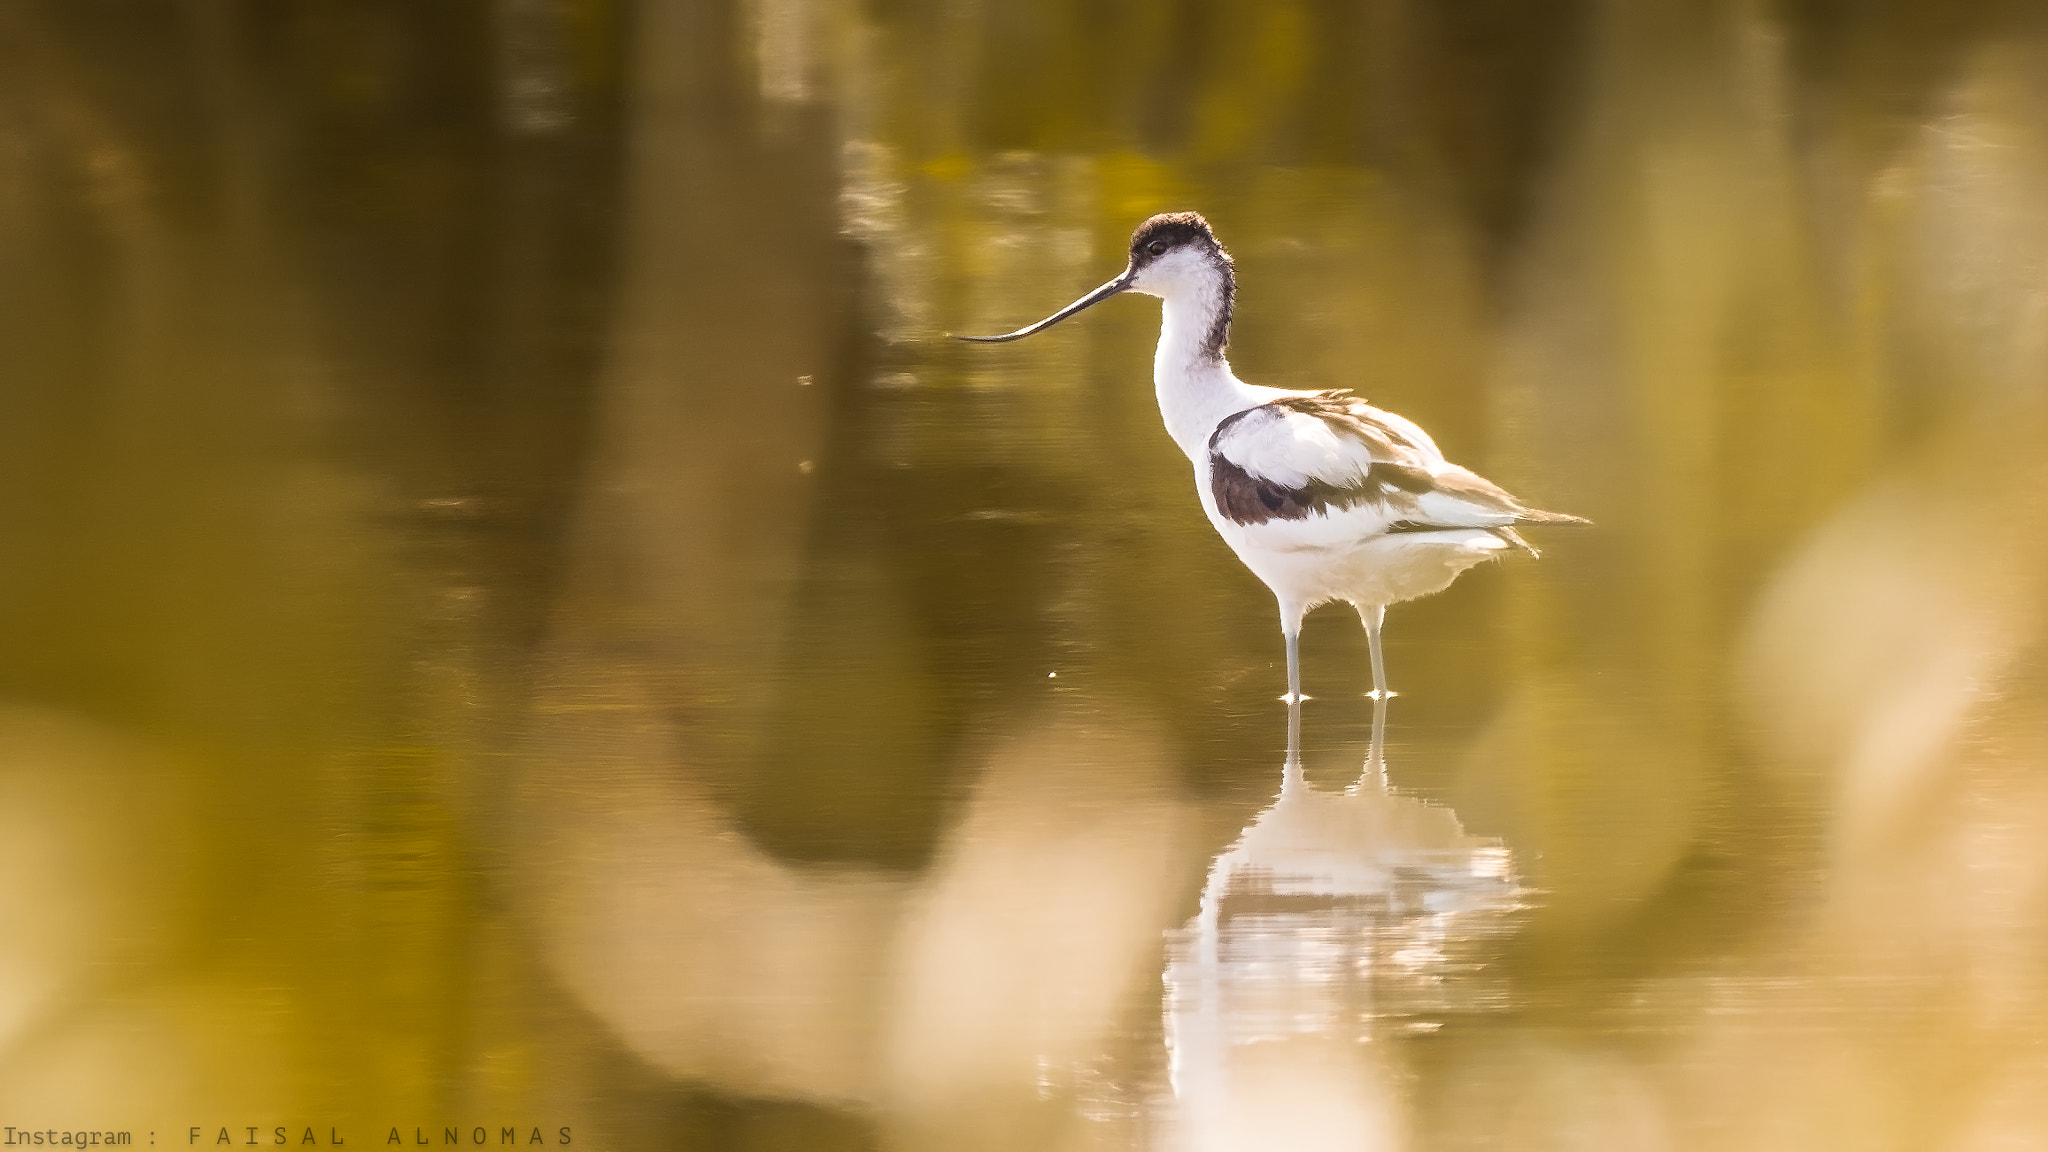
x: 1338, y: 923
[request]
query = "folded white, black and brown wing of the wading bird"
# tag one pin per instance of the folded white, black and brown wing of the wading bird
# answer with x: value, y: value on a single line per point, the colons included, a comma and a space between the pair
x: 1306, y: 456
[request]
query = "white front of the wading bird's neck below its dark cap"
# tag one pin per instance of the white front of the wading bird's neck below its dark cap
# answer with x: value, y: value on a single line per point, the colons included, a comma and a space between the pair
x: 1191, y: 376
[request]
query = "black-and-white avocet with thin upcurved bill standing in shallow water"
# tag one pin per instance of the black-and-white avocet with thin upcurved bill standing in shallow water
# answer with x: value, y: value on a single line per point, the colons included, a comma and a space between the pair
x: 1322, y: 495
